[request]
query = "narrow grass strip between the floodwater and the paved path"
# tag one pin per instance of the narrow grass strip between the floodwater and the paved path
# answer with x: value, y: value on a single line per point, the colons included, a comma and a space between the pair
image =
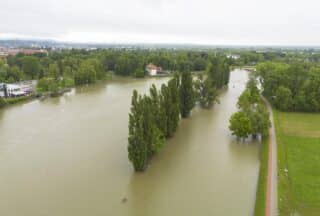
x: 260, y: 204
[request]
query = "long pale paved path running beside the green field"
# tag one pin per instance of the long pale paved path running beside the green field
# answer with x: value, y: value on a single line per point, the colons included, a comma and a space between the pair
x: 272, y: 195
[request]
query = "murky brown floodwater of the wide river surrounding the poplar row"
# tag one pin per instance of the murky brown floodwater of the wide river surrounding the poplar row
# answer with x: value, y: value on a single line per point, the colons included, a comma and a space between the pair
x: 67, y: 156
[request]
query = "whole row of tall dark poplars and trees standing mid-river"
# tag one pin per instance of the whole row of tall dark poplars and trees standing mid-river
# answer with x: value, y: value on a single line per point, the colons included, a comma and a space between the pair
x: 155, y: 117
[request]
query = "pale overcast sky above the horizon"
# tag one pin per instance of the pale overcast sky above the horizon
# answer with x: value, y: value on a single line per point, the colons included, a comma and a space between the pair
x: 223, y: 22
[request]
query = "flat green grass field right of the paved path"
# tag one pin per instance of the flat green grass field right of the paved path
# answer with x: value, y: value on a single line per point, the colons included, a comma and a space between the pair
x: 298, y: 139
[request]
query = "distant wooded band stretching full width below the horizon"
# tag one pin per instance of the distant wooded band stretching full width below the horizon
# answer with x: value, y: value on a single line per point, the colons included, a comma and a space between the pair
x: 80, y: 66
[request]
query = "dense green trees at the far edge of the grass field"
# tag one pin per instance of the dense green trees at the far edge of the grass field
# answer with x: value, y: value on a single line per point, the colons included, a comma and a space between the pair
x: 291, y: 87
